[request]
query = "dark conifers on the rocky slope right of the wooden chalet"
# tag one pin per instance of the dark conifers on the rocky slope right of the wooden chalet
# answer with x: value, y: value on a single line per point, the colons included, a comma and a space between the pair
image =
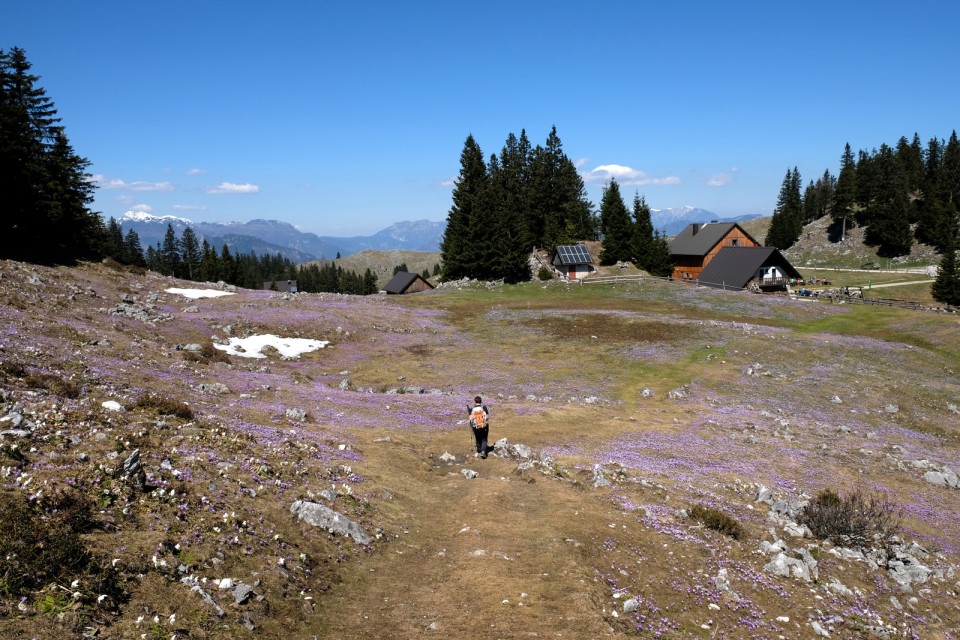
x: 897, y: 194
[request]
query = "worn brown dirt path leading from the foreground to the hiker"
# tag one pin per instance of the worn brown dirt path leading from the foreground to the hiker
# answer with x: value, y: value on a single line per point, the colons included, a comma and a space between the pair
x: 492, y: 557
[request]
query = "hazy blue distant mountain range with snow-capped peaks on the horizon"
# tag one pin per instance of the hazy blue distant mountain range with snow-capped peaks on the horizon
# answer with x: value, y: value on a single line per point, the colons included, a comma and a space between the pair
x: 274, y: 236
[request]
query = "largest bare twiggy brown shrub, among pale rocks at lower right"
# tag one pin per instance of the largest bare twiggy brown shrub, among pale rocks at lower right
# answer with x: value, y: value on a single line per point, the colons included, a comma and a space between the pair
x: 855, y: 519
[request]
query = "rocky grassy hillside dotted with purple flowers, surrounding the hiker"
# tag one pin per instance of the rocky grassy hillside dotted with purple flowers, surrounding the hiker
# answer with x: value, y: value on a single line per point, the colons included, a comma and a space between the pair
x: 658, y: 447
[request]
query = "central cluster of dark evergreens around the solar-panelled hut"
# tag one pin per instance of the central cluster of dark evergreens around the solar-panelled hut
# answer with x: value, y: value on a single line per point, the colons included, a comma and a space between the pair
x: 525, y: 198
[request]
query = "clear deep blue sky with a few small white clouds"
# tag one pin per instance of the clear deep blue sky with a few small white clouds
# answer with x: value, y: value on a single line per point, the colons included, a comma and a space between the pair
x: 342, y: 118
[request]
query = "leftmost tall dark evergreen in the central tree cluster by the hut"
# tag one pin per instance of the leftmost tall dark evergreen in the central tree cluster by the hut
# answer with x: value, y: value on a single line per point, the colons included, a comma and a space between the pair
x: 468, y: 195
